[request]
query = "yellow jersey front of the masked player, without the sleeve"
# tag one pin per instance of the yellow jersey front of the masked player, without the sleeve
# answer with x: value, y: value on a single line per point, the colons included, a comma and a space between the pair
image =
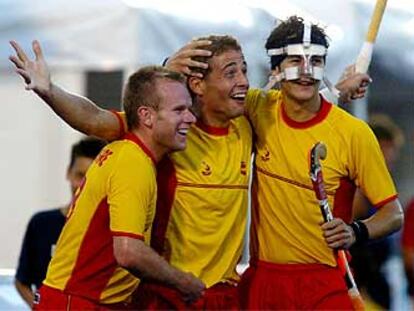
x: 286, y: 225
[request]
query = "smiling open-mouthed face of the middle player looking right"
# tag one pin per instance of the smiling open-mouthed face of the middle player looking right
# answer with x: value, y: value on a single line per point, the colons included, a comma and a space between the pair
x: 222, y: 92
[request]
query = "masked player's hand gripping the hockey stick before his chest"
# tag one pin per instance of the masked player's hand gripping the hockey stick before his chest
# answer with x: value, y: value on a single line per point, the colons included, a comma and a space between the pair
x: 337, y: 234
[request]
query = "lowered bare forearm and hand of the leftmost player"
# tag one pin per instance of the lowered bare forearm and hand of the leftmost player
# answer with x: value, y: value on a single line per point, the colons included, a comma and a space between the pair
x: 143, y: 262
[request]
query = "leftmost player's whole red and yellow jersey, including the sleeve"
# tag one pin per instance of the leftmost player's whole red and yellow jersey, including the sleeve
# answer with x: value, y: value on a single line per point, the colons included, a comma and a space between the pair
x: 117, y: 198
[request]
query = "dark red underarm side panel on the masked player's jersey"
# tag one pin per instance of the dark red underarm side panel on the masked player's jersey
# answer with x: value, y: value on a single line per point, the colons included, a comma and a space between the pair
x: 343, y: 200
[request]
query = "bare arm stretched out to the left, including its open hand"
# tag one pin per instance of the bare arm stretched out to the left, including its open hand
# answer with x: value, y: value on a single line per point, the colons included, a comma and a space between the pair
x: 77, y: 111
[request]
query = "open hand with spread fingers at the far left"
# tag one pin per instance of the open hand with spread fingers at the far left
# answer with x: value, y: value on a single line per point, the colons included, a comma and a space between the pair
x: 34, y: 72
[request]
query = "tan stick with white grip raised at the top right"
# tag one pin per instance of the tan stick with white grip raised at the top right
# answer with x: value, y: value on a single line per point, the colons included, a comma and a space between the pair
x: 365, y: 55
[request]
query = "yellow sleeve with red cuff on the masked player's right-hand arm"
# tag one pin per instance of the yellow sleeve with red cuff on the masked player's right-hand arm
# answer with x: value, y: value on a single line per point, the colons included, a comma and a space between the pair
x: 368, y: 167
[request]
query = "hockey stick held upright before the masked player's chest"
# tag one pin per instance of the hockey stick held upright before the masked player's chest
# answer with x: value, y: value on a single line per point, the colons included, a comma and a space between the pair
x: 318, y: 153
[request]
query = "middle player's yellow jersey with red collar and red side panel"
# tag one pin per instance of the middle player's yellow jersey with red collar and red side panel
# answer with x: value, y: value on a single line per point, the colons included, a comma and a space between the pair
x: 202, y: 203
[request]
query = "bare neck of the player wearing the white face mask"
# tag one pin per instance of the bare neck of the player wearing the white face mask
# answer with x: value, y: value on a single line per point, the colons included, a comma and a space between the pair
x: 301, y: 111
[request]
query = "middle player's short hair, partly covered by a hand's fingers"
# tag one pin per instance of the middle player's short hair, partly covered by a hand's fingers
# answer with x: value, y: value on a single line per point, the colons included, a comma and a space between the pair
x: 219, y: 45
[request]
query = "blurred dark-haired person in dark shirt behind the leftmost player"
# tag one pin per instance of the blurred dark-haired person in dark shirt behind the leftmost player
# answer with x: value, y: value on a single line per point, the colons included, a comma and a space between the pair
x: 44, y: 227
